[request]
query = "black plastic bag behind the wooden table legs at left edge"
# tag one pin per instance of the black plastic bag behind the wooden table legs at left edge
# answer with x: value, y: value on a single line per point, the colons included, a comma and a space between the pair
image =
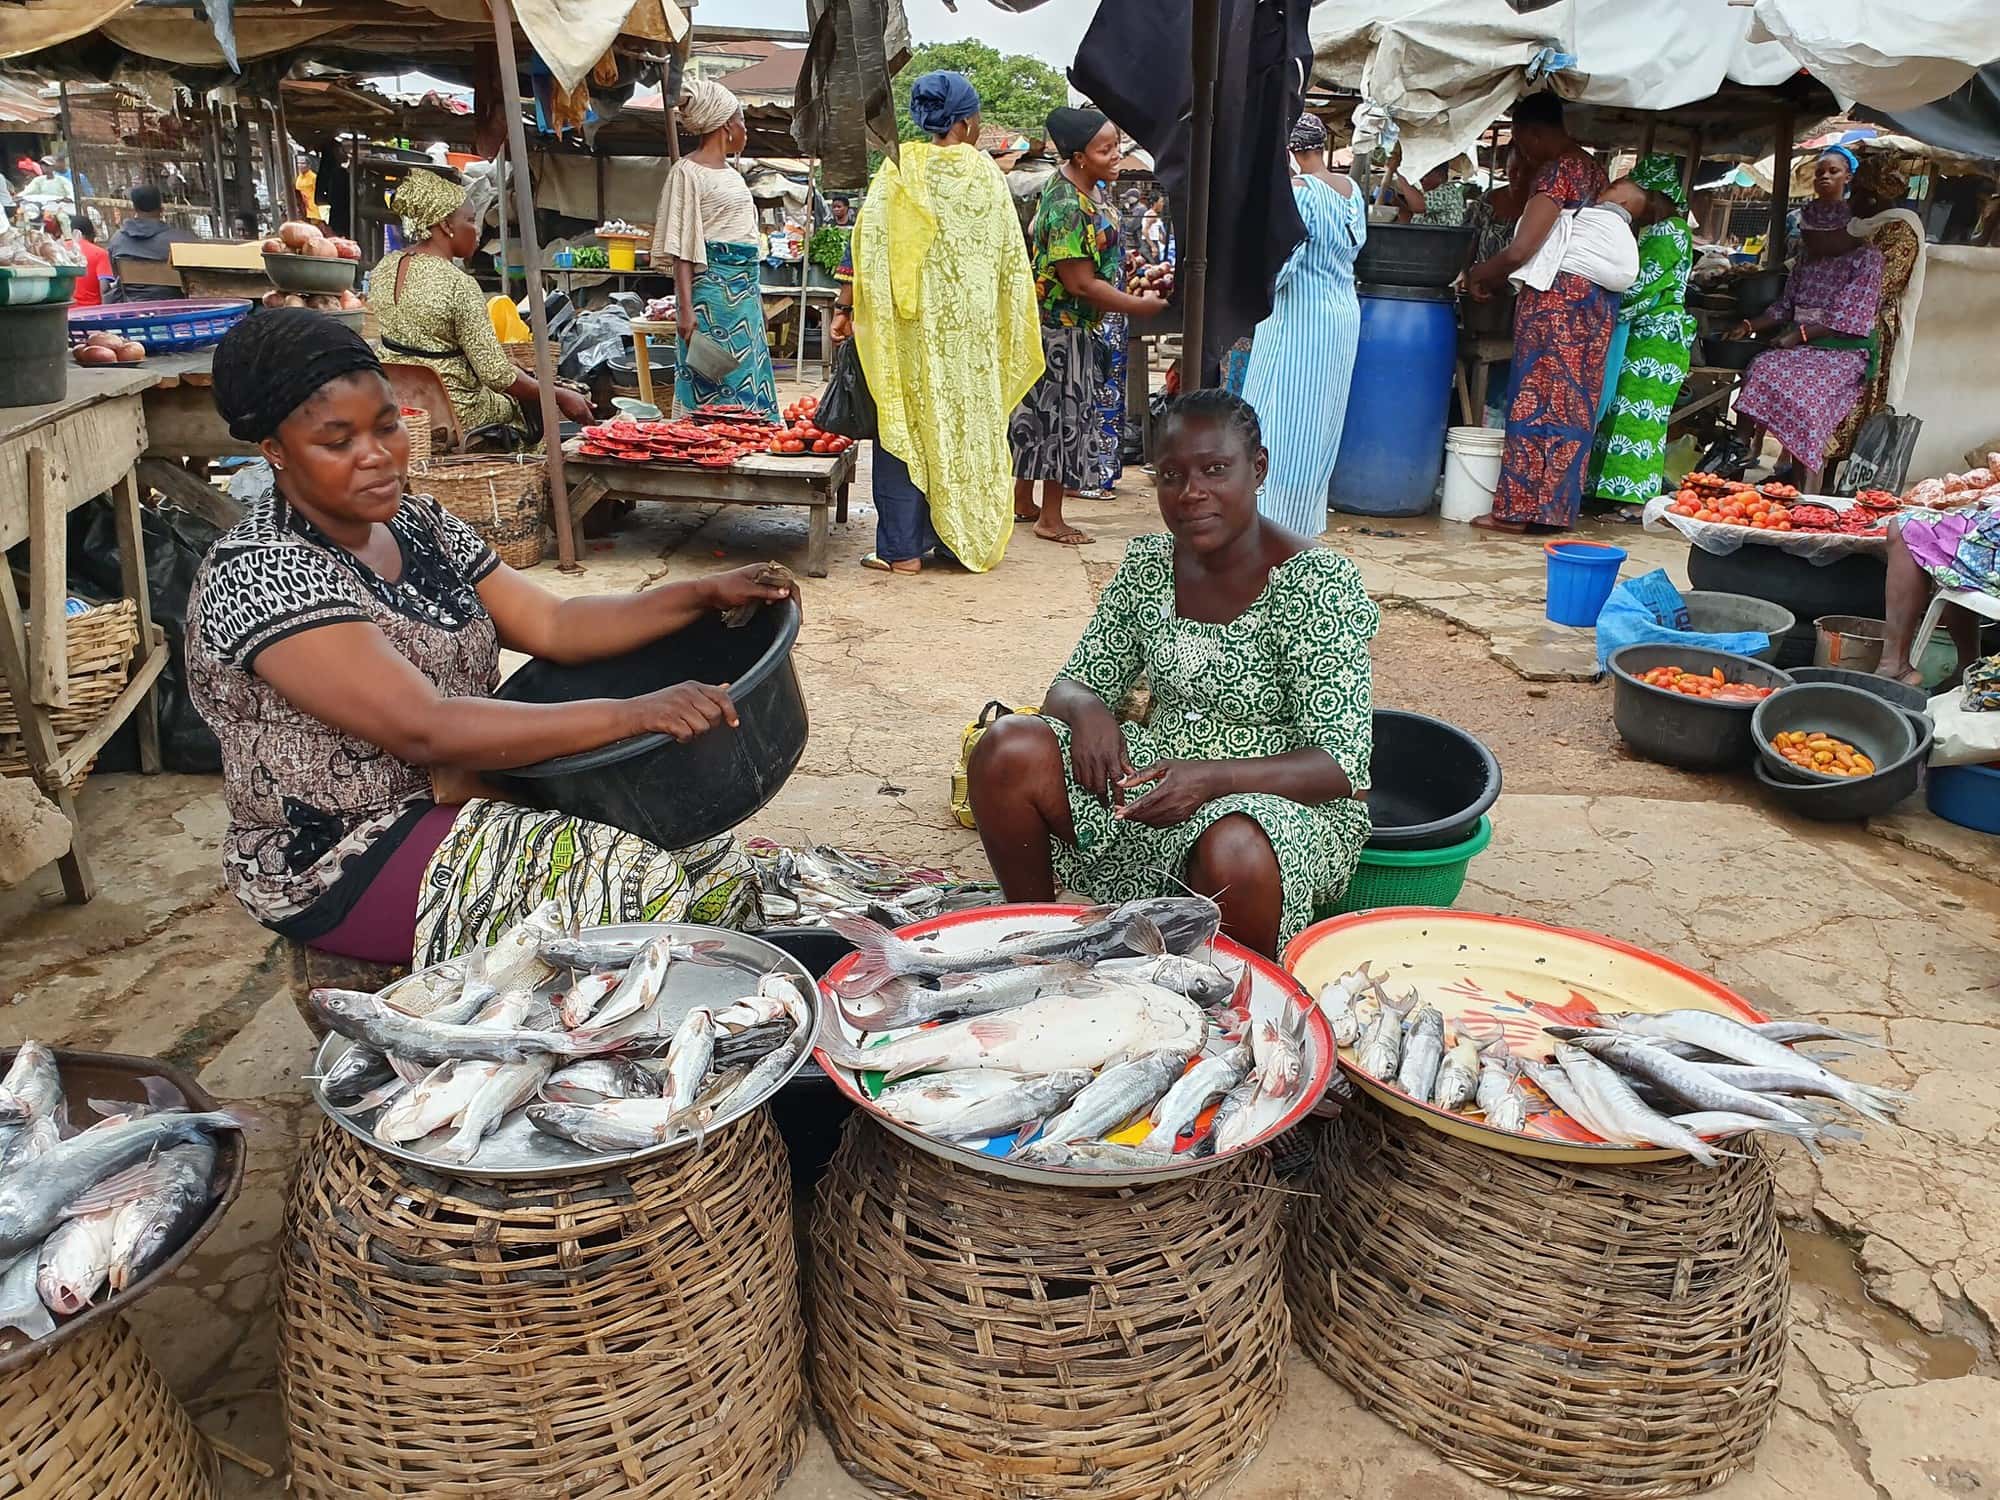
x: 175, y: 543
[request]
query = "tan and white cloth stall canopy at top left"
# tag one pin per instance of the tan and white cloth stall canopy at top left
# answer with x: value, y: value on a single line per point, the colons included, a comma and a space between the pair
x: 567, y: 35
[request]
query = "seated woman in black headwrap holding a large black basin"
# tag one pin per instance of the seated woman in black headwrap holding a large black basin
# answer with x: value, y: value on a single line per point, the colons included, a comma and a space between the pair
x: 345, y: 647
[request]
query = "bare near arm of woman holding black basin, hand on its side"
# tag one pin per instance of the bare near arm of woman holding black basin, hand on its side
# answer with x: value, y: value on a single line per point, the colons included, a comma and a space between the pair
x: 349, y: 675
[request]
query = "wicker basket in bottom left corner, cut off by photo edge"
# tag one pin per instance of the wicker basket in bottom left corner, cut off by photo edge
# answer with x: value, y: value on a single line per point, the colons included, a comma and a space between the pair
x: 93, y: 1419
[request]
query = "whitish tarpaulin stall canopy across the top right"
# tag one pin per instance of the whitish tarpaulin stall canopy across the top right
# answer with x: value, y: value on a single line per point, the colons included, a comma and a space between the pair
x: 1445, y: 71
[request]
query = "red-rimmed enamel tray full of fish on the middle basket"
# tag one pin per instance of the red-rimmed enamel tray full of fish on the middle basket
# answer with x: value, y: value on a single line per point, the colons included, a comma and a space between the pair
x: 987, y: 925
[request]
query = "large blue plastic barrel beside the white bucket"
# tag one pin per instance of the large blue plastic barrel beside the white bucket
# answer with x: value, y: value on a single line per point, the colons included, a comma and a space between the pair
x: 1399, y: 403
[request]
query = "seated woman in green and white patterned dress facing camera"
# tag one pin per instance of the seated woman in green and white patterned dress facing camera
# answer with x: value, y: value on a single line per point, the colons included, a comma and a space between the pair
x: 1245, y: 777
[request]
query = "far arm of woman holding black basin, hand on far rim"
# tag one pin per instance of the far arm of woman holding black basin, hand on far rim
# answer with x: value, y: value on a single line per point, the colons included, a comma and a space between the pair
x: 595, y: 627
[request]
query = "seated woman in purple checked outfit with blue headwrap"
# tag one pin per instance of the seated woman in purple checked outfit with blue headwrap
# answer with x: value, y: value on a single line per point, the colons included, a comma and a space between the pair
x: 1809, y: 381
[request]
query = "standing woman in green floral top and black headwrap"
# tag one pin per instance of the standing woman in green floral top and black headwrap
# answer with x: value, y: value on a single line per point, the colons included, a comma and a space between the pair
x: 1075, y: 247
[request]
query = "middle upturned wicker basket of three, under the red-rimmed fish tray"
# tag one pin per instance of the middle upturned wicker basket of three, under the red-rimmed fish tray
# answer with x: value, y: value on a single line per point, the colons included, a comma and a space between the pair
x: 977, y: 1337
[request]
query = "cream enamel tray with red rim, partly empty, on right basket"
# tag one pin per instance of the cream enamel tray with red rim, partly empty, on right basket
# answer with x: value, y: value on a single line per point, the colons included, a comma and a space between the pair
x: 1513, y: 975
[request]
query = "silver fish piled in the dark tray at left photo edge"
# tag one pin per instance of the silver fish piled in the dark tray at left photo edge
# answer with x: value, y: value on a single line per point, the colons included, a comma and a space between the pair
x: 97, y: 1207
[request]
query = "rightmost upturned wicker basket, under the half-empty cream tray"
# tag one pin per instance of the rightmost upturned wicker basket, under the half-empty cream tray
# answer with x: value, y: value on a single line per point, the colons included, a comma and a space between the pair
x: 1553, y: 1329
